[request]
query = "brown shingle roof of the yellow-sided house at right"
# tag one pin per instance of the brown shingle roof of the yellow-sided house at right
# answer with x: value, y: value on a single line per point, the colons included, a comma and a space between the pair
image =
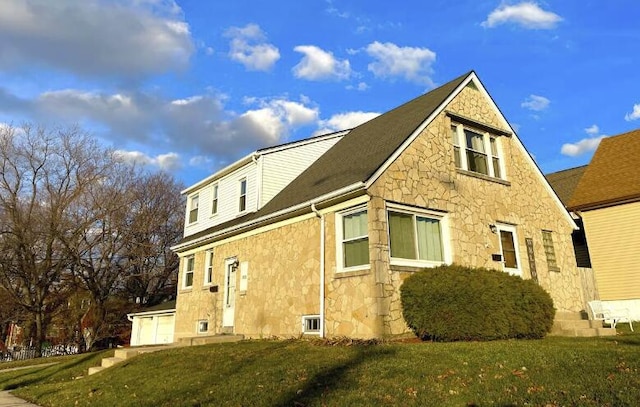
x: 613, y: 176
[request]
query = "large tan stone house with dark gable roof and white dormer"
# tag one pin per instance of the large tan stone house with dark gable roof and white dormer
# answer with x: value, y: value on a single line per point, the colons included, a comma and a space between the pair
x: 440, y: 179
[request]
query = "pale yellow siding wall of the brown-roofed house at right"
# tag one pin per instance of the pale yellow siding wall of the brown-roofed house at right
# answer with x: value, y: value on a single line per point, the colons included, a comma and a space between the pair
x: 613, y: 235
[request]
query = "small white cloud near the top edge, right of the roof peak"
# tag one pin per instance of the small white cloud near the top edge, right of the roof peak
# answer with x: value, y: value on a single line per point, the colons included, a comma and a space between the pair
x: 526, y: 14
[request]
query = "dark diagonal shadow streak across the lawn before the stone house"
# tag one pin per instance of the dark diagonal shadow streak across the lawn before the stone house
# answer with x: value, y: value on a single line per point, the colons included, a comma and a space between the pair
x: 324, y: 382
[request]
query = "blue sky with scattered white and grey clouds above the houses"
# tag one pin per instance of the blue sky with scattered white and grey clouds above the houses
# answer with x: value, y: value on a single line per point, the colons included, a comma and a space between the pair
x: 188, y: 86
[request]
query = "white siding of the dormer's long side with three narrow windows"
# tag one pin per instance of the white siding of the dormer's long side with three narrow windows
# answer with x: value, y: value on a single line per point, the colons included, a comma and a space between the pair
x: 228, y: 199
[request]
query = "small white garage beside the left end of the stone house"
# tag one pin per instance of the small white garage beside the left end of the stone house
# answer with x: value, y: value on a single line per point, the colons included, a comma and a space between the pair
x: 153, y: 325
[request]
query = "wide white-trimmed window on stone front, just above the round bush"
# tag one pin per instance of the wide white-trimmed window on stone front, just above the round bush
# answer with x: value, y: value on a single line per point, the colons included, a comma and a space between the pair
x: 415, y: 237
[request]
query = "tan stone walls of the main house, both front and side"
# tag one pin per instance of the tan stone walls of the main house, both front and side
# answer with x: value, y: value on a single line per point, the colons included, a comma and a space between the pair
x: 284, y: 263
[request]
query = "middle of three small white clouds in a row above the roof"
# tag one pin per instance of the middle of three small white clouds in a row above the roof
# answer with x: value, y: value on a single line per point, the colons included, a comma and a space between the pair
x: 317, y: 64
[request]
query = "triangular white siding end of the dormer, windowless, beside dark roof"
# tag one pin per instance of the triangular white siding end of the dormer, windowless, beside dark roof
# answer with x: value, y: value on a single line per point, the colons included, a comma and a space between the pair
x: 281, y: 167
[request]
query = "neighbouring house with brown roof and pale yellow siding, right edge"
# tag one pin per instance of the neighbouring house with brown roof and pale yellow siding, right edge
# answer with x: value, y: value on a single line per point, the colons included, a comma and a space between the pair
x: 607, y: 199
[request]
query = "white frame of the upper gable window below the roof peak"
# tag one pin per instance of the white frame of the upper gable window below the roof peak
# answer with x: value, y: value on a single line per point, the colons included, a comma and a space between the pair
x: 488, y: 151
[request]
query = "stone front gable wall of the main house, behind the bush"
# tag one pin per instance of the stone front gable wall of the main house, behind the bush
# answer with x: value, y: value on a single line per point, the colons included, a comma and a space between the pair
x: 425, y: 176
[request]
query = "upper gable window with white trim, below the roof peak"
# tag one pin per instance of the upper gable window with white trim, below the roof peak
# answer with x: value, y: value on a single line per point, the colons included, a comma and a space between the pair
x: 476, y: 151
